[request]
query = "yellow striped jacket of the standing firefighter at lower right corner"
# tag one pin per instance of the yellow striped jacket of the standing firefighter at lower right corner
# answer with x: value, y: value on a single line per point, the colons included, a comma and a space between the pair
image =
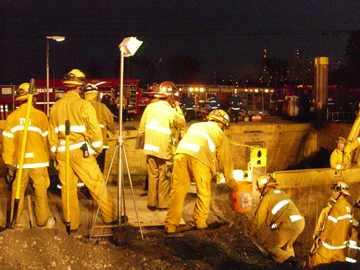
x: 336, y: 230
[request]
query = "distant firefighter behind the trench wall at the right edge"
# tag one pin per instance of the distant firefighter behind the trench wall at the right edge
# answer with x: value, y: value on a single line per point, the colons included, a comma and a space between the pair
x: 340, y: 158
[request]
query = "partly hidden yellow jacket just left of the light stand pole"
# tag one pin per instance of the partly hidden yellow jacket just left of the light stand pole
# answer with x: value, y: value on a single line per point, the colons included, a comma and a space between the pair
x: 105, y: 118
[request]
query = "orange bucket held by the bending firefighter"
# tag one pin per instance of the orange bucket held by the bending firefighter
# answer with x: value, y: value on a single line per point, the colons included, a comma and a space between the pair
x: 241, y: 201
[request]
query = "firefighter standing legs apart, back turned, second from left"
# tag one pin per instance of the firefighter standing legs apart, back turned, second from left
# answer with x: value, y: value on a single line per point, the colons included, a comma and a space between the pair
x: 86, y: 143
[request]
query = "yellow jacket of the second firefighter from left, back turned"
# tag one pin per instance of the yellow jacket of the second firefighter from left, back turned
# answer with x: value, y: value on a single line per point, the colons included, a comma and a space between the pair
x: 84, y: 126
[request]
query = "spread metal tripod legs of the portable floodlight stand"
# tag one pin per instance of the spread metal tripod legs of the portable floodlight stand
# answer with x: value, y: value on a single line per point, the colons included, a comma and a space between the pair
x: 121, y: 195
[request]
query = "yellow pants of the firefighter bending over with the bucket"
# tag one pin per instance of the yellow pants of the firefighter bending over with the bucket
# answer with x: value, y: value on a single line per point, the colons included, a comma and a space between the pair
x: 186, y: 169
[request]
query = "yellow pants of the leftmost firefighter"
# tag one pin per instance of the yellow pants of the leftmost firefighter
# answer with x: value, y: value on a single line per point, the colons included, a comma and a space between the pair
x: 41, y: 182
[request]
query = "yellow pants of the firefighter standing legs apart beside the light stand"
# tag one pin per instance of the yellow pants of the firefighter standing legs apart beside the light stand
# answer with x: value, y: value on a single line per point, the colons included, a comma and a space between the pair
x: 88, y: 171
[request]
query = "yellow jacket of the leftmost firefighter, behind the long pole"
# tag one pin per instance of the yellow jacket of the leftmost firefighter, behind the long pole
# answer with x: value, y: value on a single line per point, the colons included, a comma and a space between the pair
x: 37, y: 149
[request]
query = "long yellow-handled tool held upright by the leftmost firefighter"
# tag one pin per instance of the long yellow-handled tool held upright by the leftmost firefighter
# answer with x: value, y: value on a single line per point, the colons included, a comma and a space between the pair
x: 22, y: 153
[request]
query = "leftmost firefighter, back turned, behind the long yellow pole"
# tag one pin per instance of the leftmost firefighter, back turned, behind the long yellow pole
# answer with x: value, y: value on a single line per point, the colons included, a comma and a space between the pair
x: 36, y: 153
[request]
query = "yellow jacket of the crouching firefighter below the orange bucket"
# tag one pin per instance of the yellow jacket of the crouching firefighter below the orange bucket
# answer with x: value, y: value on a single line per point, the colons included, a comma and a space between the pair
x: 275, y: 207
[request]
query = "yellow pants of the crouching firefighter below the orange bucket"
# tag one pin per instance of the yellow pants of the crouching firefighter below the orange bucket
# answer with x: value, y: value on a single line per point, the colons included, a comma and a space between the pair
x: 280, y: 242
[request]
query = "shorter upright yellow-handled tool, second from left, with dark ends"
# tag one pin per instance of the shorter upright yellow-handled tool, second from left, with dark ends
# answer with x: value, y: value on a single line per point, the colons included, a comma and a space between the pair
x: 67, y: 174
